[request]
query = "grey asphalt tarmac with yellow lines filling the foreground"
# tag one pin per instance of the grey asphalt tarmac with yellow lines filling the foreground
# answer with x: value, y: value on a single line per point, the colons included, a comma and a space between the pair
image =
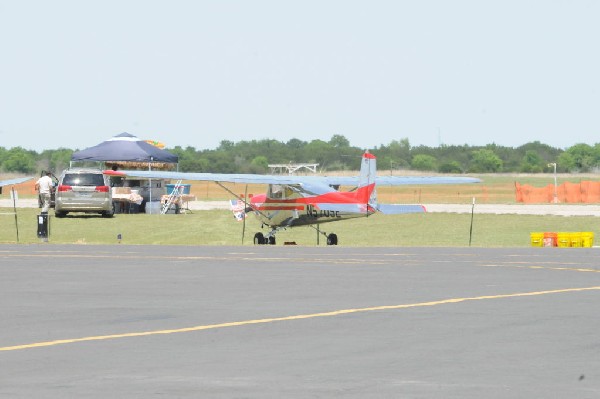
x: 295, y: 322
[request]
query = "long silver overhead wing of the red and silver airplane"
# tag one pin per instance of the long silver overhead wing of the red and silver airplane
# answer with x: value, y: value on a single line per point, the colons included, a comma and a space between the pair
x: 280, y: 179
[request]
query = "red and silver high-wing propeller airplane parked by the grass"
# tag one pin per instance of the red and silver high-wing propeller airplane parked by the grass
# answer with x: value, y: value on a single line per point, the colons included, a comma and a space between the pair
x: 292, y: 201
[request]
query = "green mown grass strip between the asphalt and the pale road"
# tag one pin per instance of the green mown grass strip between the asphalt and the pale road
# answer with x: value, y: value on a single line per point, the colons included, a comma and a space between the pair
x: 217, y: 227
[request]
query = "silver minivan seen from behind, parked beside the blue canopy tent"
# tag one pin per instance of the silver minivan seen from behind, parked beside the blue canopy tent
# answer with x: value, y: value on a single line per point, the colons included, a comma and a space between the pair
x: 83, y: 190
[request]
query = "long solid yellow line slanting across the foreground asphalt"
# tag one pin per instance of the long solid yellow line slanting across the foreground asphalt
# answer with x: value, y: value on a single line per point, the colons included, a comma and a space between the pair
x: 289, y: 318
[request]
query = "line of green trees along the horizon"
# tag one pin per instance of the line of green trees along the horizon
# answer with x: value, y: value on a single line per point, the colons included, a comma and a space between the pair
x: 337, y: 154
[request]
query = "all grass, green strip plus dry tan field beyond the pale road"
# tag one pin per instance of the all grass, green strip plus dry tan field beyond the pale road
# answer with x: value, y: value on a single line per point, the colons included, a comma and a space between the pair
x: 217, y: 227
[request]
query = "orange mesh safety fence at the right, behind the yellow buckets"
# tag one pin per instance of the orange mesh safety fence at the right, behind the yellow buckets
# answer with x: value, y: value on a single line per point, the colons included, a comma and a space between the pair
x: 584, y: 192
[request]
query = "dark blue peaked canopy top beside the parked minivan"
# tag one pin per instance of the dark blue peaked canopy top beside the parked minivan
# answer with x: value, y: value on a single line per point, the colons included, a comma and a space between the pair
x: 124, y: 147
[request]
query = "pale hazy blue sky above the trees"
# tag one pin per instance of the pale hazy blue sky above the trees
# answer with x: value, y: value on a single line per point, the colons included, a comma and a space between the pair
x: 195, y: 73
